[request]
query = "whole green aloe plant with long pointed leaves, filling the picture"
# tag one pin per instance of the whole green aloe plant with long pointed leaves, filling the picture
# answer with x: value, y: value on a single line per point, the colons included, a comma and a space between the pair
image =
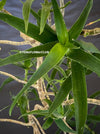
x: 56, y: 47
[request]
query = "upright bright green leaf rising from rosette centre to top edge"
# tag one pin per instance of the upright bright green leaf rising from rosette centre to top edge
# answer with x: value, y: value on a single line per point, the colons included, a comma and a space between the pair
x: 61, y: 30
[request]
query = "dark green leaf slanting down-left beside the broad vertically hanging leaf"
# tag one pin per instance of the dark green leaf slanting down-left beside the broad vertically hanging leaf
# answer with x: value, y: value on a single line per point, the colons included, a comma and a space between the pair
x: 62, y: 94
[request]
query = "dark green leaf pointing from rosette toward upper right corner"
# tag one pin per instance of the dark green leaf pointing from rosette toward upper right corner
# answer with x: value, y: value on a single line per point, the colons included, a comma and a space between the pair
x: 76, y: 29
